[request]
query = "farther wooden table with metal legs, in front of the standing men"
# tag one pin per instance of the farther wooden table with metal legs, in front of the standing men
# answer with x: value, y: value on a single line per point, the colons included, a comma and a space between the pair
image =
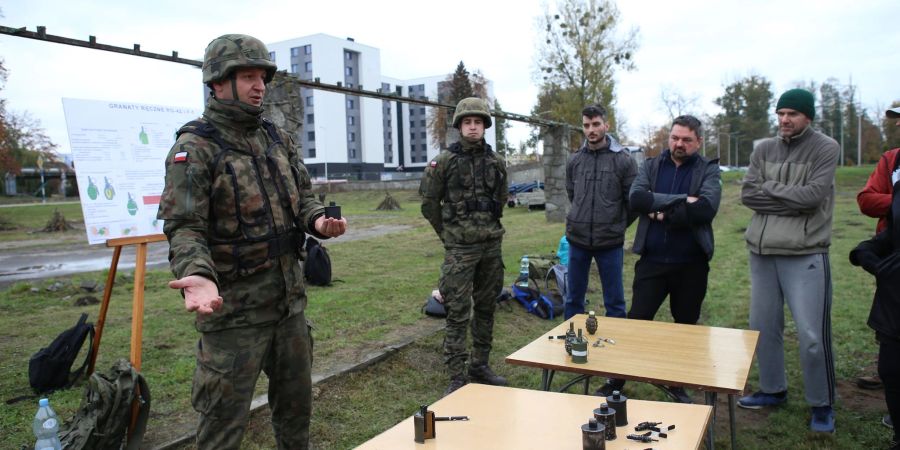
x: 714, y: 360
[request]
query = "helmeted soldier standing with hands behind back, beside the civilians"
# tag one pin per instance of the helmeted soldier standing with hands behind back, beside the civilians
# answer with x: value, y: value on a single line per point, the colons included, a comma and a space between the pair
x: 463, y: 193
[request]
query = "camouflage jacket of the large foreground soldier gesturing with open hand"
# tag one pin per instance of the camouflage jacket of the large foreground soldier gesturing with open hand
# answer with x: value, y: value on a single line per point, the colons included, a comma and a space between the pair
x: 237, y: 216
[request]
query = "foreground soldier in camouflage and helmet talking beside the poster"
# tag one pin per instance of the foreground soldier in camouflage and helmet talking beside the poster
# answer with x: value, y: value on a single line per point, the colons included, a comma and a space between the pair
x: 236, y: 204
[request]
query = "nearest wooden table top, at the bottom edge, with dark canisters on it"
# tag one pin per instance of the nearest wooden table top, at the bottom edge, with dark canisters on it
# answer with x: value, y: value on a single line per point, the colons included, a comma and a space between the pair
x: 512, y: 418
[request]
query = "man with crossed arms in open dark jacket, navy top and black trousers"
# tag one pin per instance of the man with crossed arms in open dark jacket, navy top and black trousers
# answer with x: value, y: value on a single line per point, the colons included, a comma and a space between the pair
x: 677, y: 196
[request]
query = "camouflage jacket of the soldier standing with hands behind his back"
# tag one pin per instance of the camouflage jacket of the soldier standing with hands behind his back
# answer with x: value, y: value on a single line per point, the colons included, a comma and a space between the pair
x: 463, y: 193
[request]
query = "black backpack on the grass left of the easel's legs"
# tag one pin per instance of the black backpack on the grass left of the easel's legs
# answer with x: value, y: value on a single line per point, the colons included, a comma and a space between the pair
x: 50, y: 368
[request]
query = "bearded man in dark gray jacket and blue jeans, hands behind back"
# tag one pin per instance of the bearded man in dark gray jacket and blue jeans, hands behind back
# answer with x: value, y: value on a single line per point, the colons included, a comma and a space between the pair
x: 598, y: 177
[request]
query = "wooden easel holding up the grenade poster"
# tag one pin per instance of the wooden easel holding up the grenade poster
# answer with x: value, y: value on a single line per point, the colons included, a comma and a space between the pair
x: 137, y: 306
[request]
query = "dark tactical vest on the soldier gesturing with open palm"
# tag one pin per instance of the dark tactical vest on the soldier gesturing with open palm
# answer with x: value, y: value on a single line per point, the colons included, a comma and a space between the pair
x: 244, y: 237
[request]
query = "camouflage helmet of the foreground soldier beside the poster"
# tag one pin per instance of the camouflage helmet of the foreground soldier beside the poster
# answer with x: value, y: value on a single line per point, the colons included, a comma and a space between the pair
x: 232, y: 51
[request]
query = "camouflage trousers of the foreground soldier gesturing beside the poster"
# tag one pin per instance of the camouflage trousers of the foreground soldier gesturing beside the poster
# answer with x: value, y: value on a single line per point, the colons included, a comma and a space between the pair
x: 228, y: 365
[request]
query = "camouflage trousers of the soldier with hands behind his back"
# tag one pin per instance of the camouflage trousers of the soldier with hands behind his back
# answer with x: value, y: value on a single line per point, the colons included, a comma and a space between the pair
x: 471, y: 279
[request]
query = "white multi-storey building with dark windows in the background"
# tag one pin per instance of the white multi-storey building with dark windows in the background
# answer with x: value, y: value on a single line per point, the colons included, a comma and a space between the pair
x: 355, y: 137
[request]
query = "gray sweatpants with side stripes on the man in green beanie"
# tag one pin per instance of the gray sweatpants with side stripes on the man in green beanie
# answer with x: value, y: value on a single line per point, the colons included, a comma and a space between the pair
x: 805, y: 283
